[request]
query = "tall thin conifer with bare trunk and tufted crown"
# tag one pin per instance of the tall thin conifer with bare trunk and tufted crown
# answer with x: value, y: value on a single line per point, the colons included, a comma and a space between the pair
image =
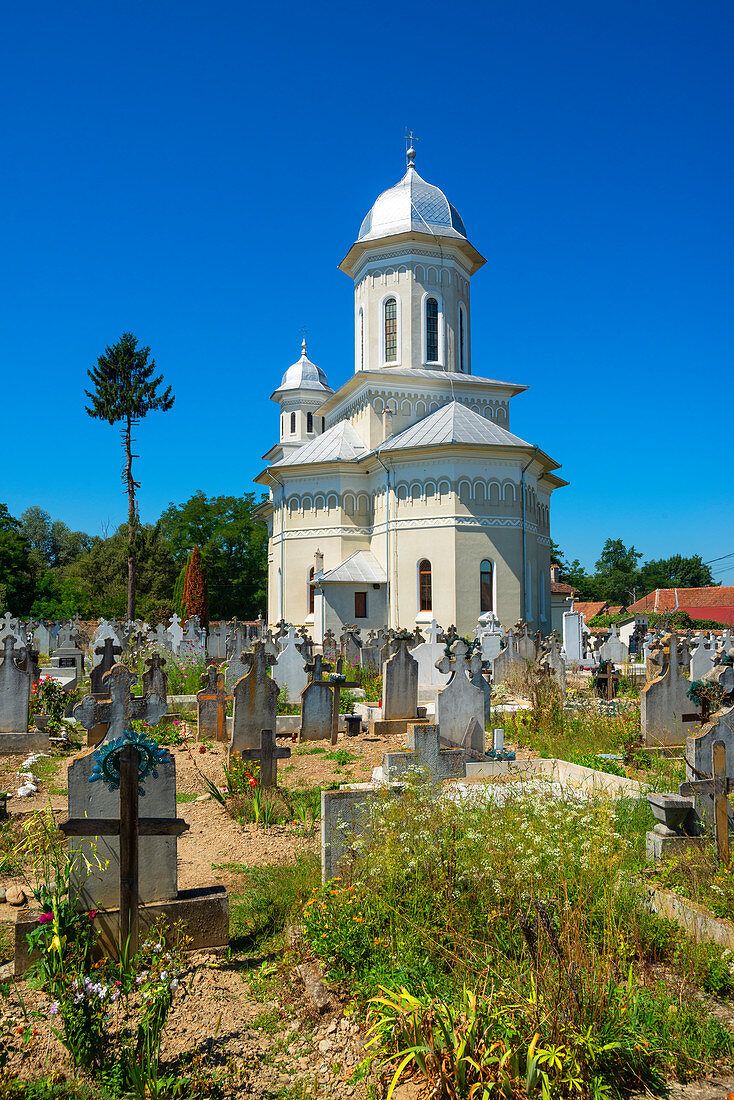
x: 124, y: 391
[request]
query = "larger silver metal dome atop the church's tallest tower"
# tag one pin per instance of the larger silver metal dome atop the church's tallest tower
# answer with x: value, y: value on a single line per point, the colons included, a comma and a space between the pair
x: 412, y: 205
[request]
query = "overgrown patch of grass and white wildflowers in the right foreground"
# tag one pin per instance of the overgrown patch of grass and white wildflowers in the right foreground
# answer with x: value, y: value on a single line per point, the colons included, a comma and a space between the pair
x: 510, y: 930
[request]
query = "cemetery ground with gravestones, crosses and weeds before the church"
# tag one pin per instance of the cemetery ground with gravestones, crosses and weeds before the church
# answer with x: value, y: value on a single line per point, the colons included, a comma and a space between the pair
x: 475, y: 813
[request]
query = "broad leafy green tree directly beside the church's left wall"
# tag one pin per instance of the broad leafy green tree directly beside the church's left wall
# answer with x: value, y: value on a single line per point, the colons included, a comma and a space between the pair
x: 234, y: 549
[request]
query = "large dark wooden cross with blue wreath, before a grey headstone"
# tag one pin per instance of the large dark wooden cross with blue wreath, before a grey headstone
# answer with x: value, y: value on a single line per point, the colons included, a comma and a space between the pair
x: 129, y: 828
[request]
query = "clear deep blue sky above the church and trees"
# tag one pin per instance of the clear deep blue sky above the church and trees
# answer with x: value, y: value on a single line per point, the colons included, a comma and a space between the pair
x: 194, y: 173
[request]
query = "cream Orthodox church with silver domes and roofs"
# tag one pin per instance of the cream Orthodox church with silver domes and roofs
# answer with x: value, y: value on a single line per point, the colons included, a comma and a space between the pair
x: 403, y: 497
